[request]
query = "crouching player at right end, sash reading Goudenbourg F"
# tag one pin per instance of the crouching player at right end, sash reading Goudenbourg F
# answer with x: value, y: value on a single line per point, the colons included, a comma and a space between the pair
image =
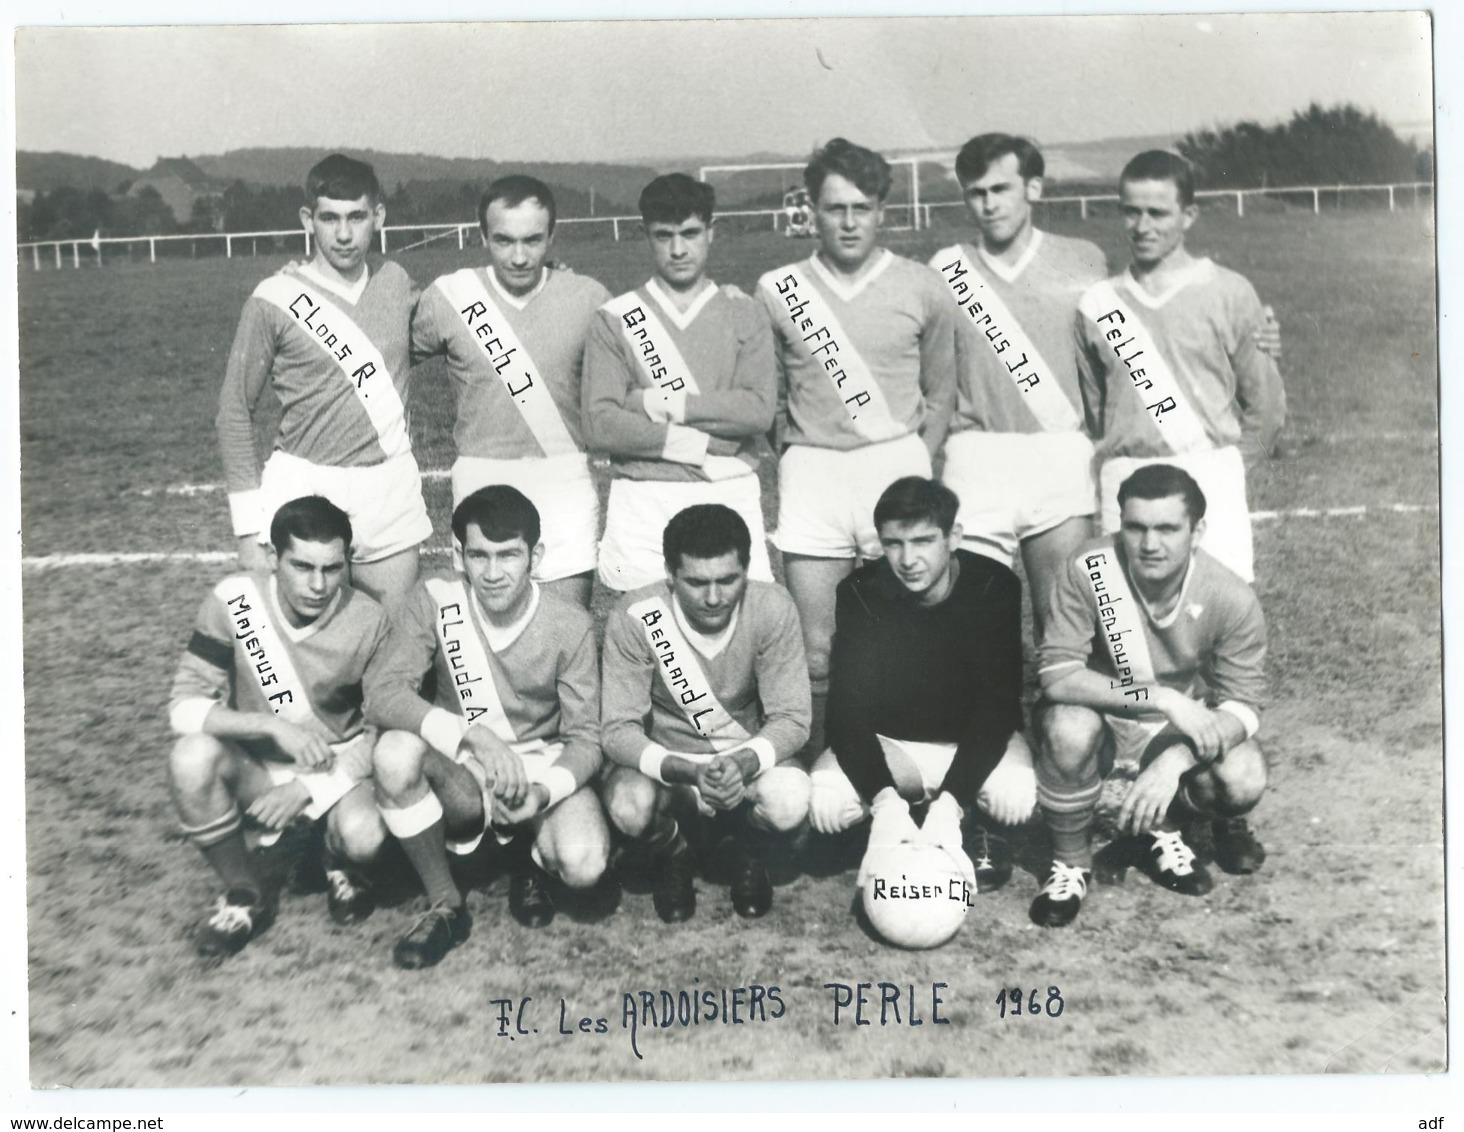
x: 1153, y: 660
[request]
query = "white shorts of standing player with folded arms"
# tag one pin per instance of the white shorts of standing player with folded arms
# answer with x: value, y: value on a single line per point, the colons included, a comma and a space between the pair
x: 638, y: 515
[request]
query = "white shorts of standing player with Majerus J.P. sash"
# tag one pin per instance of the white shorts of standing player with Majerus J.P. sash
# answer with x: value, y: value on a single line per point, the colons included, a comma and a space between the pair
x: 1015, y: 485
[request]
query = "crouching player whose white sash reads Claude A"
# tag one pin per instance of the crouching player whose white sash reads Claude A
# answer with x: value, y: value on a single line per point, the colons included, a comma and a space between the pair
x: 510, y: 737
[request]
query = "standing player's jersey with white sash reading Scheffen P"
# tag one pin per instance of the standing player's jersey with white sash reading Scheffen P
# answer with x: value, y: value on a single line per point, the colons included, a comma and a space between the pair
x: 895, y: 329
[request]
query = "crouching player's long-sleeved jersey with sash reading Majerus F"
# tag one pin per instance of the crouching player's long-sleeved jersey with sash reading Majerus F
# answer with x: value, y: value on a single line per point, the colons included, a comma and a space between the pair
x: 226, y: 661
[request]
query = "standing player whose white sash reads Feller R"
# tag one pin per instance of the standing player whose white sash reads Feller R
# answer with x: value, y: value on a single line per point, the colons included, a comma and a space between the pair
x: 1170, y: 364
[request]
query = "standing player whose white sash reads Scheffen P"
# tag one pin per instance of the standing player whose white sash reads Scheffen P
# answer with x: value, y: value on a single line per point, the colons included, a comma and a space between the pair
x: 866, y: 355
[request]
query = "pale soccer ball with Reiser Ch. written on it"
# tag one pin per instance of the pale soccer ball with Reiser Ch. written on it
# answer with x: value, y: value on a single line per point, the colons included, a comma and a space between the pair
x: 916, y: 895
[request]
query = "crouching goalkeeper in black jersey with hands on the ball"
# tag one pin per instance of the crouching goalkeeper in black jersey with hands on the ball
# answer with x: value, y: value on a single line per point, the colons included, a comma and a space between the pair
x: 926, y: 689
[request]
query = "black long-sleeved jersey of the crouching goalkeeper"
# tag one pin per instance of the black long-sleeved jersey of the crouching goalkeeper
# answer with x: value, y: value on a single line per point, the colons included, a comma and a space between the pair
x: 951, y: 673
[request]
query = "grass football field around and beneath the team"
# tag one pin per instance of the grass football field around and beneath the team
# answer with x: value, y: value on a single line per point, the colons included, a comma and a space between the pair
x: 1329, y: 961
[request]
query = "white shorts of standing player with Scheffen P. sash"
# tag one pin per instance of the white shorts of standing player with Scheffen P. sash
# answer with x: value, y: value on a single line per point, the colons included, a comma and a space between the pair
x: 826, y: 497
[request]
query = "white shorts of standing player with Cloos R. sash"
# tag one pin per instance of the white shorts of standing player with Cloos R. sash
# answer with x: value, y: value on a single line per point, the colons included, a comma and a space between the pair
x: 384, y: 502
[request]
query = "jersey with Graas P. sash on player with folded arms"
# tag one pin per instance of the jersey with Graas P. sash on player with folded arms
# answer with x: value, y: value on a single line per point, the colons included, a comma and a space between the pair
x: 725, y: 346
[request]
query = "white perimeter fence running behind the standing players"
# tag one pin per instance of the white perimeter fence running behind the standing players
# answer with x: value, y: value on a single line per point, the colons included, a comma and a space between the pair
x: 900, y: 216
